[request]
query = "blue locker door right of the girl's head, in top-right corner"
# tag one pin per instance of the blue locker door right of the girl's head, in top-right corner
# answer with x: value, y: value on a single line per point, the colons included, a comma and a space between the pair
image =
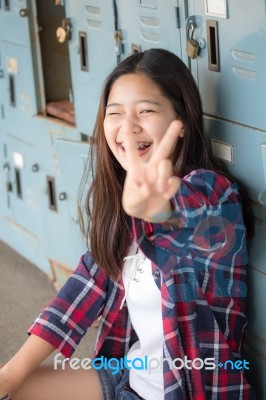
x: 241, y: 57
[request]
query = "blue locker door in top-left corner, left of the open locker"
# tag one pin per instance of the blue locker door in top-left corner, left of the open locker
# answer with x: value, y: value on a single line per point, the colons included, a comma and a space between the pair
x: 18, y: 97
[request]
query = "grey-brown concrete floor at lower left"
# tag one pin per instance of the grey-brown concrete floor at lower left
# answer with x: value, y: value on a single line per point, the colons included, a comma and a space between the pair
x: 24, y: 291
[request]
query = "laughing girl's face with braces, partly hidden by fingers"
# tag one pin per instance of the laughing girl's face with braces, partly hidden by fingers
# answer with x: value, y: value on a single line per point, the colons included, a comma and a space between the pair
x: 136, y: 107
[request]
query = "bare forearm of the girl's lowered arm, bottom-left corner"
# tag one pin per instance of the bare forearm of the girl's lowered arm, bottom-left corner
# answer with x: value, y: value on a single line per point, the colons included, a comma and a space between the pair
x: 25, y: 361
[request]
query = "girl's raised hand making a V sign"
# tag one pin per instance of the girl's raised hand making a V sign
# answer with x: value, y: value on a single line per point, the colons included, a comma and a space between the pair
x: 149, y: 184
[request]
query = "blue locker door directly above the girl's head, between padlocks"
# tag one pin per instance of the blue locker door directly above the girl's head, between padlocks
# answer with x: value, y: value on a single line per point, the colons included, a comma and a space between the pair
x: 148, y: 24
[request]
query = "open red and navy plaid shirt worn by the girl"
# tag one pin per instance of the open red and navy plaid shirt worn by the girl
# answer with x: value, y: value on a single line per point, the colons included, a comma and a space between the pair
x: 198, y: 258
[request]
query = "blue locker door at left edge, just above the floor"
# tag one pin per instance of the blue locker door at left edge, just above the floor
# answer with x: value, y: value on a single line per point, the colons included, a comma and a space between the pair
x: 21, y: 193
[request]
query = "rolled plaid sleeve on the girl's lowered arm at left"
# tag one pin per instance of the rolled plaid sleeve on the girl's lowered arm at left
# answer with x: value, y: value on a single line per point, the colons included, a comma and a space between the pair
x: 66, y: 319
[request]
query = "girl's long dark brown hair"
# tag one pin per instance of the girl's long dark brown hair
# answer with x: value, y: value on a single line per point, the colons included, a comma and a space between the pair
x: 109, y: 228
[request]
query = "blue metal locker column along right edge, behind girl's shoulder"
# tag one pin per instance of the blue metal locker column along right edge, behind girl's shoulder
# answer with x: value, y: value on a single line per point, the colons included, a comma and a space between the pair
x: 230, y: 74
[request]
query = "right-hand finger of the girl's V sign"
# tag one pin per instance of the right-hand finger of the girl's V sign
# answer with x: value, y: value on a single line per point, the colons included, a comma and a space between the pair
x: 168, y: 141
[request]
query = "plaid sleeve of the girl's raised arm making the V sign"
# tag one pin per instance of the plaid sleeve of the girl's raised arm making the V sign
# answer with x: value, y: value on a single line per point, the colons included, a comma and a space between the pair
x: 206, y: 213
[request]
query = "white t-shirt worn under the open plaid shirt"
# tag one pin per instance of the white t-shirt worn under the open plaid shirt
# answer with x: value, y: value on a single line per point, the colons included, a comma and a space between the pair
x: 143, y: 299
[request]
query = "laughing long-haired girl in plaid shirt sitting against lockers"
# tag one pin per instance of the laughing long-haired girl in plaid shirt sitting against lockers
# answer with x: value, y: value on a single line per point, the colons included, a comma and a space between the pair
x: 166, y: 270
